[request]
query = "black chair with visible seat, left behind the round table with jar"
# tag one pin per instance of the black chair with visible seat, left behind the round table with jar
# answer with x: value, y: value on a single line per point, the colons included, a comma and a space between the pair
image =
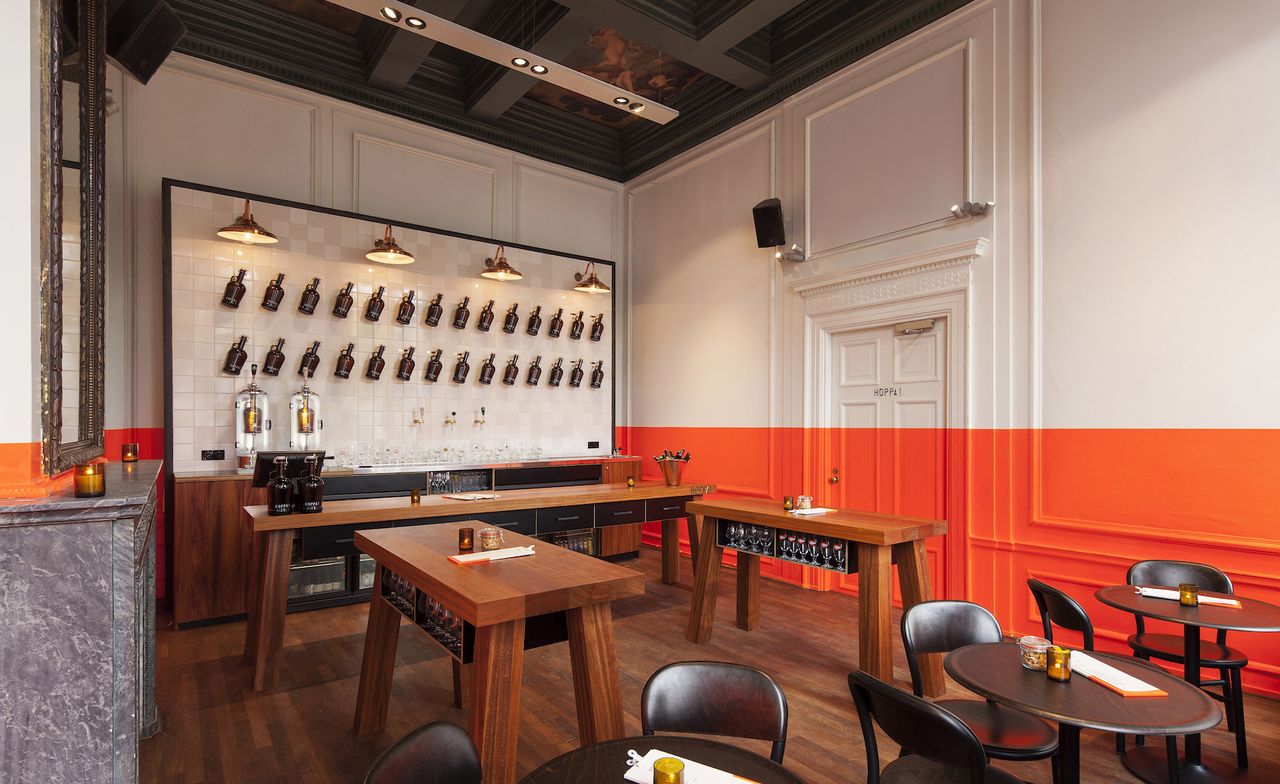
x: 944, y: 626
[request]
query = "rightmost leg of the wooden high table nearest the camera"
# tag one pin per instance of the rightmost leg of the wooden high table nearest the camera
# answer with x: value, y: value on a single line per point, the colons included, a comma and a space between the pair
x: 596, y: 674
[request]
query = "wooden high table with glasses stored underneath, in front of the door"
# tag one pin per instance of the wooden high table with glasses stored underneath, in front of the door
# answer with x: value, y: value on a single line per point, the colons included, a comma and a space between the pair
x: 870, y: 545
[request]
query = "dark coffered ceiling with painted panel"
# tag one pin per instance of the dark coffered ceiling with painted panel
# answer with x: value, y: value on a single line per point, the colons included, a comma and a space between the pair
x: 717, y: 62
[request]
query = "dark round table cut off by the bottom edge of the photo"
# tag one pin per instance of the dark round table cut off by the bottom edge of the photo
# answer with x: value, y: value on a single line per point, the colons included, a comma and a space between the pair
x: 609, y: 762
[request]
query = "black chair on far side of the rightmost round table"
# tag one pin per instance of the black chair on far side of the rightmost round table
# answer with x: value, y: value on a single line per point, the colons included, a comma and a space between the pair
x: 1214, y: 655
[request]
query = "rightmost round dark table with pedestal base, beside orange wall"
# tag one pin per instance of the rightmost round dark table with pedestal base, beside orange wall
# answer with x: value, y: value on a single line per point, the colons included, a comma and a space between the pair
x: 1149, y: 763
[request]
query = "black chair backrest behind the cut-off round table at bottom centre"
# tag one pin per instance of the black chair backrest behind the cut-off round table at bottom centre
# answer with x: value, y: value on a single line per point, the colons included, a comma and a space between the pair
x: 716, y: 699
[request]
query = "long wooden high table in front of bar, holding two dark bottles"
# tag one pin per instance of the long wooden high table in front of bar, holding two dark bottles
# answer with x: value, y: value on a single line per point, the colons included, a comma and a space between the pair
x: 557, y: 509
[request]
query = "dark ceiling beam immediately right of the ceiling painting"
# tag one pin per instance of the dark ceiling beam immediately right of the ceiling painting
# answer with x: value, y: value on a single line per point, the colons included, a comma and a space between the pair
x: 641, y: 26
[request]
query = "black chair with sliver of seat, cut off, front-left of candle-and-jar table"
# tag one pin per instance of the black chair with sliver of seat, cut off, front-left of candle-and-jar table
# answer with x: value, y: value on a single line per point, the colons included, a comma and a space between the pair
x: 935, y: 746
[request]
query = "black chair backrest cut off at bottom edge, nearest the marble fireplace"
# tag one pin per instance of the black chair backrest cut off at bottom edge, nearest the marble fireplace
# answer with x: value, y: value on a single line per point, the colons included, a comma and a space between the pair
x: 437, y: 754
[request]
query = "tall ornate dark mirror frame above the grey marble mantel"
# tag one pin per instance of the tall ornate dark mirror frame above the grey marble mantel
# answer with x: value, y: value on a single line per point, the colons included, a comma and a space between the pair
x: 92, y: 26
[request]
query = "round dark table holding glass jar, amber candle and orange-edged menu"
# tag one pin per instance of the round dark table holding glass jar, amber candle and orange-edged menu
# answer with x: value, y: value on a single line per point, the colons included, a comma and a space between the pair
x: 996, y: 672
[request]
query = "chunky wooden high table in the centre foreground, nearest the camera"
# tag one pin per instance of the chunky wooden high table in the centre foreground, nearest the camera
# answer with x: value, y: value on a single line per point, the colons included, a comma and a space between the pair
x: 501, y: 609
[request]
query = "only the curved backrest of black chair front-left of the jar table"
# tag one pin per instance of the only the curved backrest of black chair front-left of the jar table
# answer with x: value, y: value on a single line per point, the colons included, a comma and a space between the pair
x: 917, y: 727
